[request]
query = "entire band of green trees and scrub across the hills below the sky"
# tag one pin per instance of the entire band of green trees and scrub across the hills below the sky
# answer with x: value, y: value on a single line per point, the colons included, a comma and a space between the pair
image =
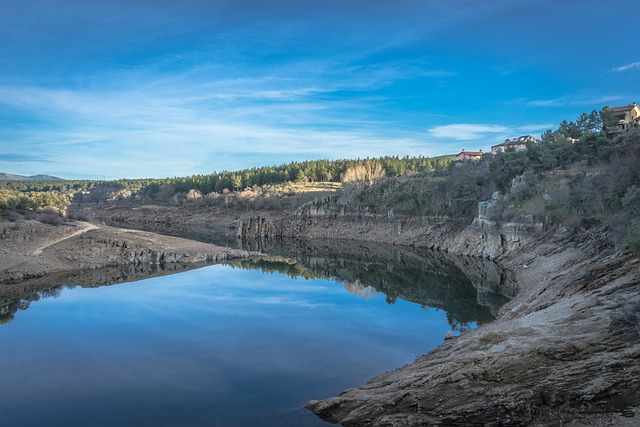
x: 575, y: 176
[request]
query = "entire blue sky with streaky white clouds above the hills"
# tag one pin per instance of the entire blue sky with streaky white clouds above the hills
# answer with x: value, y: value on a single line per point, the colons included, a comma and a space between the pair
x: 142, y: 88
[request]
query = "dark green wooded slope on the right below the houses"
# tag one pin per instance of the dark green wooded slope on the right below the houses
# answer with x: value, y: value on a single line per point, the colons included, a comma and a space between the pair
x: 574, y: 177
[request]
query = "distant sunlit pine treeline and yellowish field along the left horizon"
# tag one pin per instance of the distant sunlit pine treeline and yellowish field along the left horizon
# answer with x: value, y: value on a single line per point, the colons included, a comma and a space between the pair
x: 274, y: 187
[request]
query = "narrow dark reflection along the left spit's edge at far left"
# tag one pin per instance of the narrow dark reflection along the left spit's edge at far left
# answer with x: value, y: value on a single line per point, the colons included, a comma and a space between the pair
x: 18, y: 297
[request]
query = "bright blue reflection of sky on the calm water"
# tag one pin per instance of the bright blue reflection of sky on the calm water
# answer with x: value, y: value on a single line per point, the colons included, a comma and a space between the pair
x: 210, y: 347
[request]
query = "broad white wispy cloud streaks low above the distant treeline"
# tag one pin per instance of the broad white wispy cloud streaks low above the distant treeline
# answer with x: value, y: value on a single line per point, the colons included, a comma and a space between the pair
x: 197, y: 123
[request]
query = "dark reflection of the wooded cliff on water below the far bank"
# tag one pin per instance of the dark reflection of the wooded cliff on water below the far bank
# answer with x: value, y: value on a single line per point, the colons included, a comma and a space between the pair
x: 469, y: 290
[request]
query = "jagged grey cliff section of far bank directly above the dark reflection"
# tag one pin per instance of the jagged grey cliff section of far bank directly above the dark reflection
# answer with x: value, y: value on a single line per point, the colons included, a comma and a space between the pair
x: 329, y: 218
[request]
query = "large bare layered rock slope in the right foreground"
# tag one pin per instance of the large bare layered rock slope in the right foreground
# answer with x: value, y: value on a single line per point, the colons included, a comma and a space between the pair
x: 561, y: 351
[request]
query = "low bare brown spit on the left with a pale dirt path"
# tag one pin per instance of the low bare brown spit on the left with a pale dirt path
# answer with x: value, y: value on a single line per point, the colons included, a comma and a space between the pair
x: 32, y: 249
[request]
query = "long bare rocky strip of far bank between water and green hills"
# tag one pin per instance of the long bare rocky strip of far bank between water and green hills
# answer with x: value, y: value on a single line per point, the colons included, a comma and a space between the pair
x: 326, y: 218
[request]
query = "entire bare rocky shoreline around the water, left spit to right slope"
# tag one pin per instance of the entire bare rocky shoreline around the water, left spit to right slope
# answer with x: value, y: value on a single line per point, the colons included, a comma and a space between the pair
x: 564, y: 351
